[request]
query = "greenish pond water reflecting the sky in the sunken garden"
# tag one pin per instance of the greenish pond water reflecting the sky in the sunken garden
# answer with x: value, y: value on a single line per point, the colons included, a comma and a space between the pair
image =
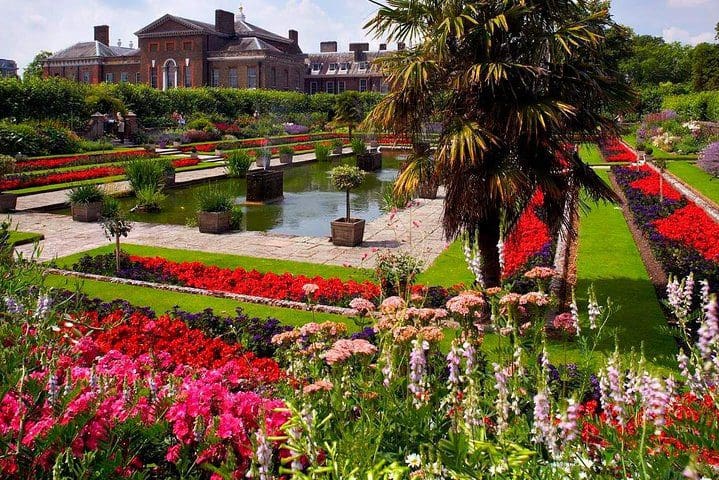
x: 310, y: 201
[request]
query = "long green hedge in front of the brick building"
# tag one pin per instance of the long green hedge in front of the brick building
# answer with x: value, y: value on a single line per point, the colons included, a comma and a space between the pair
x: 61, y: 99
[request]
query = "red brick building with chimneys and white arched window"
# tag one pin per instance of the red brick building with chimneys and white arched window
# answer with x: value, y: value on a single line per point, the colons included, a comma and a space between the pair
x: 176, y: 52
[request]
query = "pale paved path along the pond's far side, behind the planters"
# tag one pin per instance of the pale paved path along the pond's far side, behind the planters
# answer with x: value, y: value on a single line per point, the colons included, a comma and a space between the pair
x: 59, y: 197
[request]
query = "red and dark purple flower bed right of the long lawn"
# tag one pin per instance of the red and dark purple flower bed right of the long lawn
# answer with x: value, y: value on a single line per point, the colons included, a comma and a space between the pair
x: 682, y: 236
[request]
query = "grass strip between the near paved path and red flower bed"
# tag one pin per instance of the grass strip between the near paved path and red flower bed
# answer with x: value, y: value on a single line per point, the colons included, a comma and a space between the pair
x: 231, y: 261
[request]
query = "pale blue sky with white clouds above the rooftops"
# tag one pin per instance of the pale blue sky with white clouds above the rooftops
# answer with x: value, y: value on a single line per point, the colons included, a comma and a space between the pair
x: 29, y: 26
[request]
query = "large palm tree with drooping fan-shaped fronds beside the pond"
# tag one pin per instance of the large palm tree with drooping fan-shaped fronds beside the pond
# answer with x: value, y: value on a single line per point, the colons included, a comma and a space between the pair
x: 513, y: 83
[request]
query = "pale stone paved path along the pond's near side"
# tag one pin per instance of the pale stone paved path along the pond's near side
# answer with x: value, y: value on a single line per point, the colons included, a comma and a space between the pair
x: 417, y: 230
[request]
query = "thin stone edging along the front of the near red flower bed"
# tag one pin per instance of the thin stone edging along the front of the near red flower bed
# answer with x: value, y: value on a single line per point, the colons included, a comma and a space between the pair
x: 347, y: 312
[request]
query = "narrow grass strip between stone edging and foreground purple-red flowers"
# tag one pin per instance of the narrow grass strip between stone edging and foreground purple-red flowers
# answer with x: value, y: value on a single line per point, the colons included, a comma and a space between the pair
x: 162, y: 301
